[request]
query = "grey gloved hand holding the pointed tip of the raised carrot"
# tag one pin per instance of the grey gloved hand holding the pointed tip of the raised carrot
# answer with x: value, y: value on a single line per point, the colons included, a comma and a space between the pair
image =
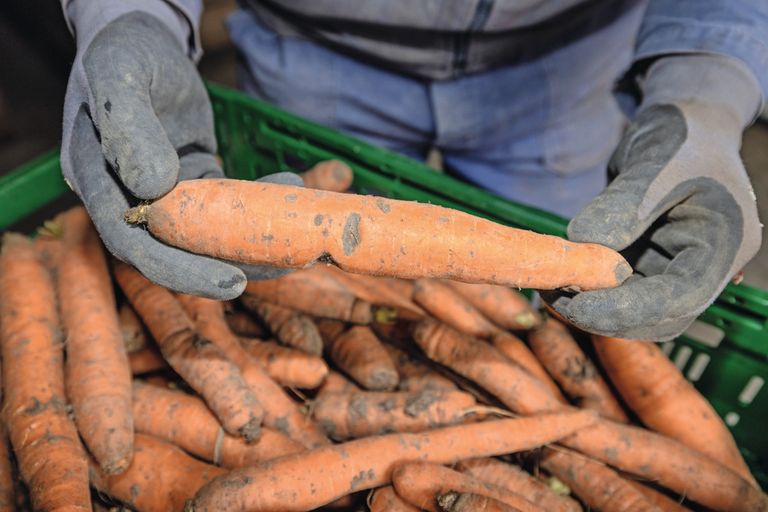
x: 681, y: 207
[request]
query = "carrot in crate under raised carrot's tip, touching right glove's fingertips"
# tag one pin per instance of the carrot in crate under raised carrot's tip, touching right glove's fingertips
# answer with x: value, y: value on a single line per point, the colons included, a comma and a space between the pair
x: 505, y: 307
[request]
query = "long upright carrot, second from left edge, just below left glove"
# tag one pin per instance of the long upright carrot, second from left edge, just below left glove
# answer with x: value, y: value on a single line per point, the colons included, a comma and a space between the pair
x: 97, y: 374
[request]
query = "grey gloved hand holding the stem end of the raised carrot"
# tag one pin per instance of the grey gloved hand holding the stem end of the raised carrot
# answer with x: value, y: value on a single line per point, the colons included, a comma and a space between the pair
x: 137, y: 119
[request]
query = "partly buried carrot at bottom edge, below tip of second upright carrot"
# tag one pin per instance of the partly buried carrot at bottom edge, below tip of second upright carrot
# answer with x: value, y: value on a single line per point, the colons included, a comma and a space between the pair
x: 160, y: 478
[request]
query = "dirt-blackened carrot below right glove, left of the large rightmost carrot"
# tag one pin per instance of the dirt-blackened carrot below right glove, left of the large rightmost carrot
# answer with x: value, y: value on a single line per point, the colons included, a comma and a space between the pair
x: 573, y: 370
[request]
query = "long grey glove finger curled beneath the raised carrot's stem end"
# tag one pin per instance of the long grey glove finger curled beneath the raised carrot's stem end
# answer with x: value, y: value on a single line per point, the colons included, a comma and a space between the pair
x: 106, y: 203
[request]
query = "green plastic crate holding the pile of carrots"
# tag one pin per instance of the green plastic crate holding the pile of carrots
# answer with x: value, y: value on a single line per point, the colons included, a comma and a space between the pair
x: 725, y: 354
